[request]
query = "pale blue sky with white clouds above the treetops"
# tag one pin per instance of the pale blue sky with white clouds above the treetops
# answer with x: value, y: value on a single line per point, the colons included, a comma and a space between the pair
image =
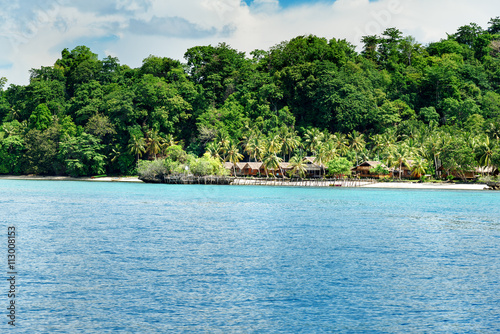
x: 33, y: 33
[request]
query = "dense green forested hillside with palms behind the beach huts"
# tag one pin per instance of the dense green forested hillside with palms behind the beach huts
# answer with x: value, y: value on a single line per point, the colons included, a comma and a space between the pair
x: 436, y: 104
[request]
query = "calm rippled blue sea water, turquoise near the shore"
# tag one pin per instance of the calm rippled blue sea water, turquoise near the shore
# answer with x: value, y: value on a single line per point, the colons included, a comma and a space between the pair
x: 141, y: 258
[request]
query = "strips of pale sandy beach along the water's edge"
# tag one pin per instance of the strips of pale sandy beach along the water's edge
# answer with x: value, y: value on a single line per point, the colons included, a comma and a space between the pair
x: 380, y: 185
